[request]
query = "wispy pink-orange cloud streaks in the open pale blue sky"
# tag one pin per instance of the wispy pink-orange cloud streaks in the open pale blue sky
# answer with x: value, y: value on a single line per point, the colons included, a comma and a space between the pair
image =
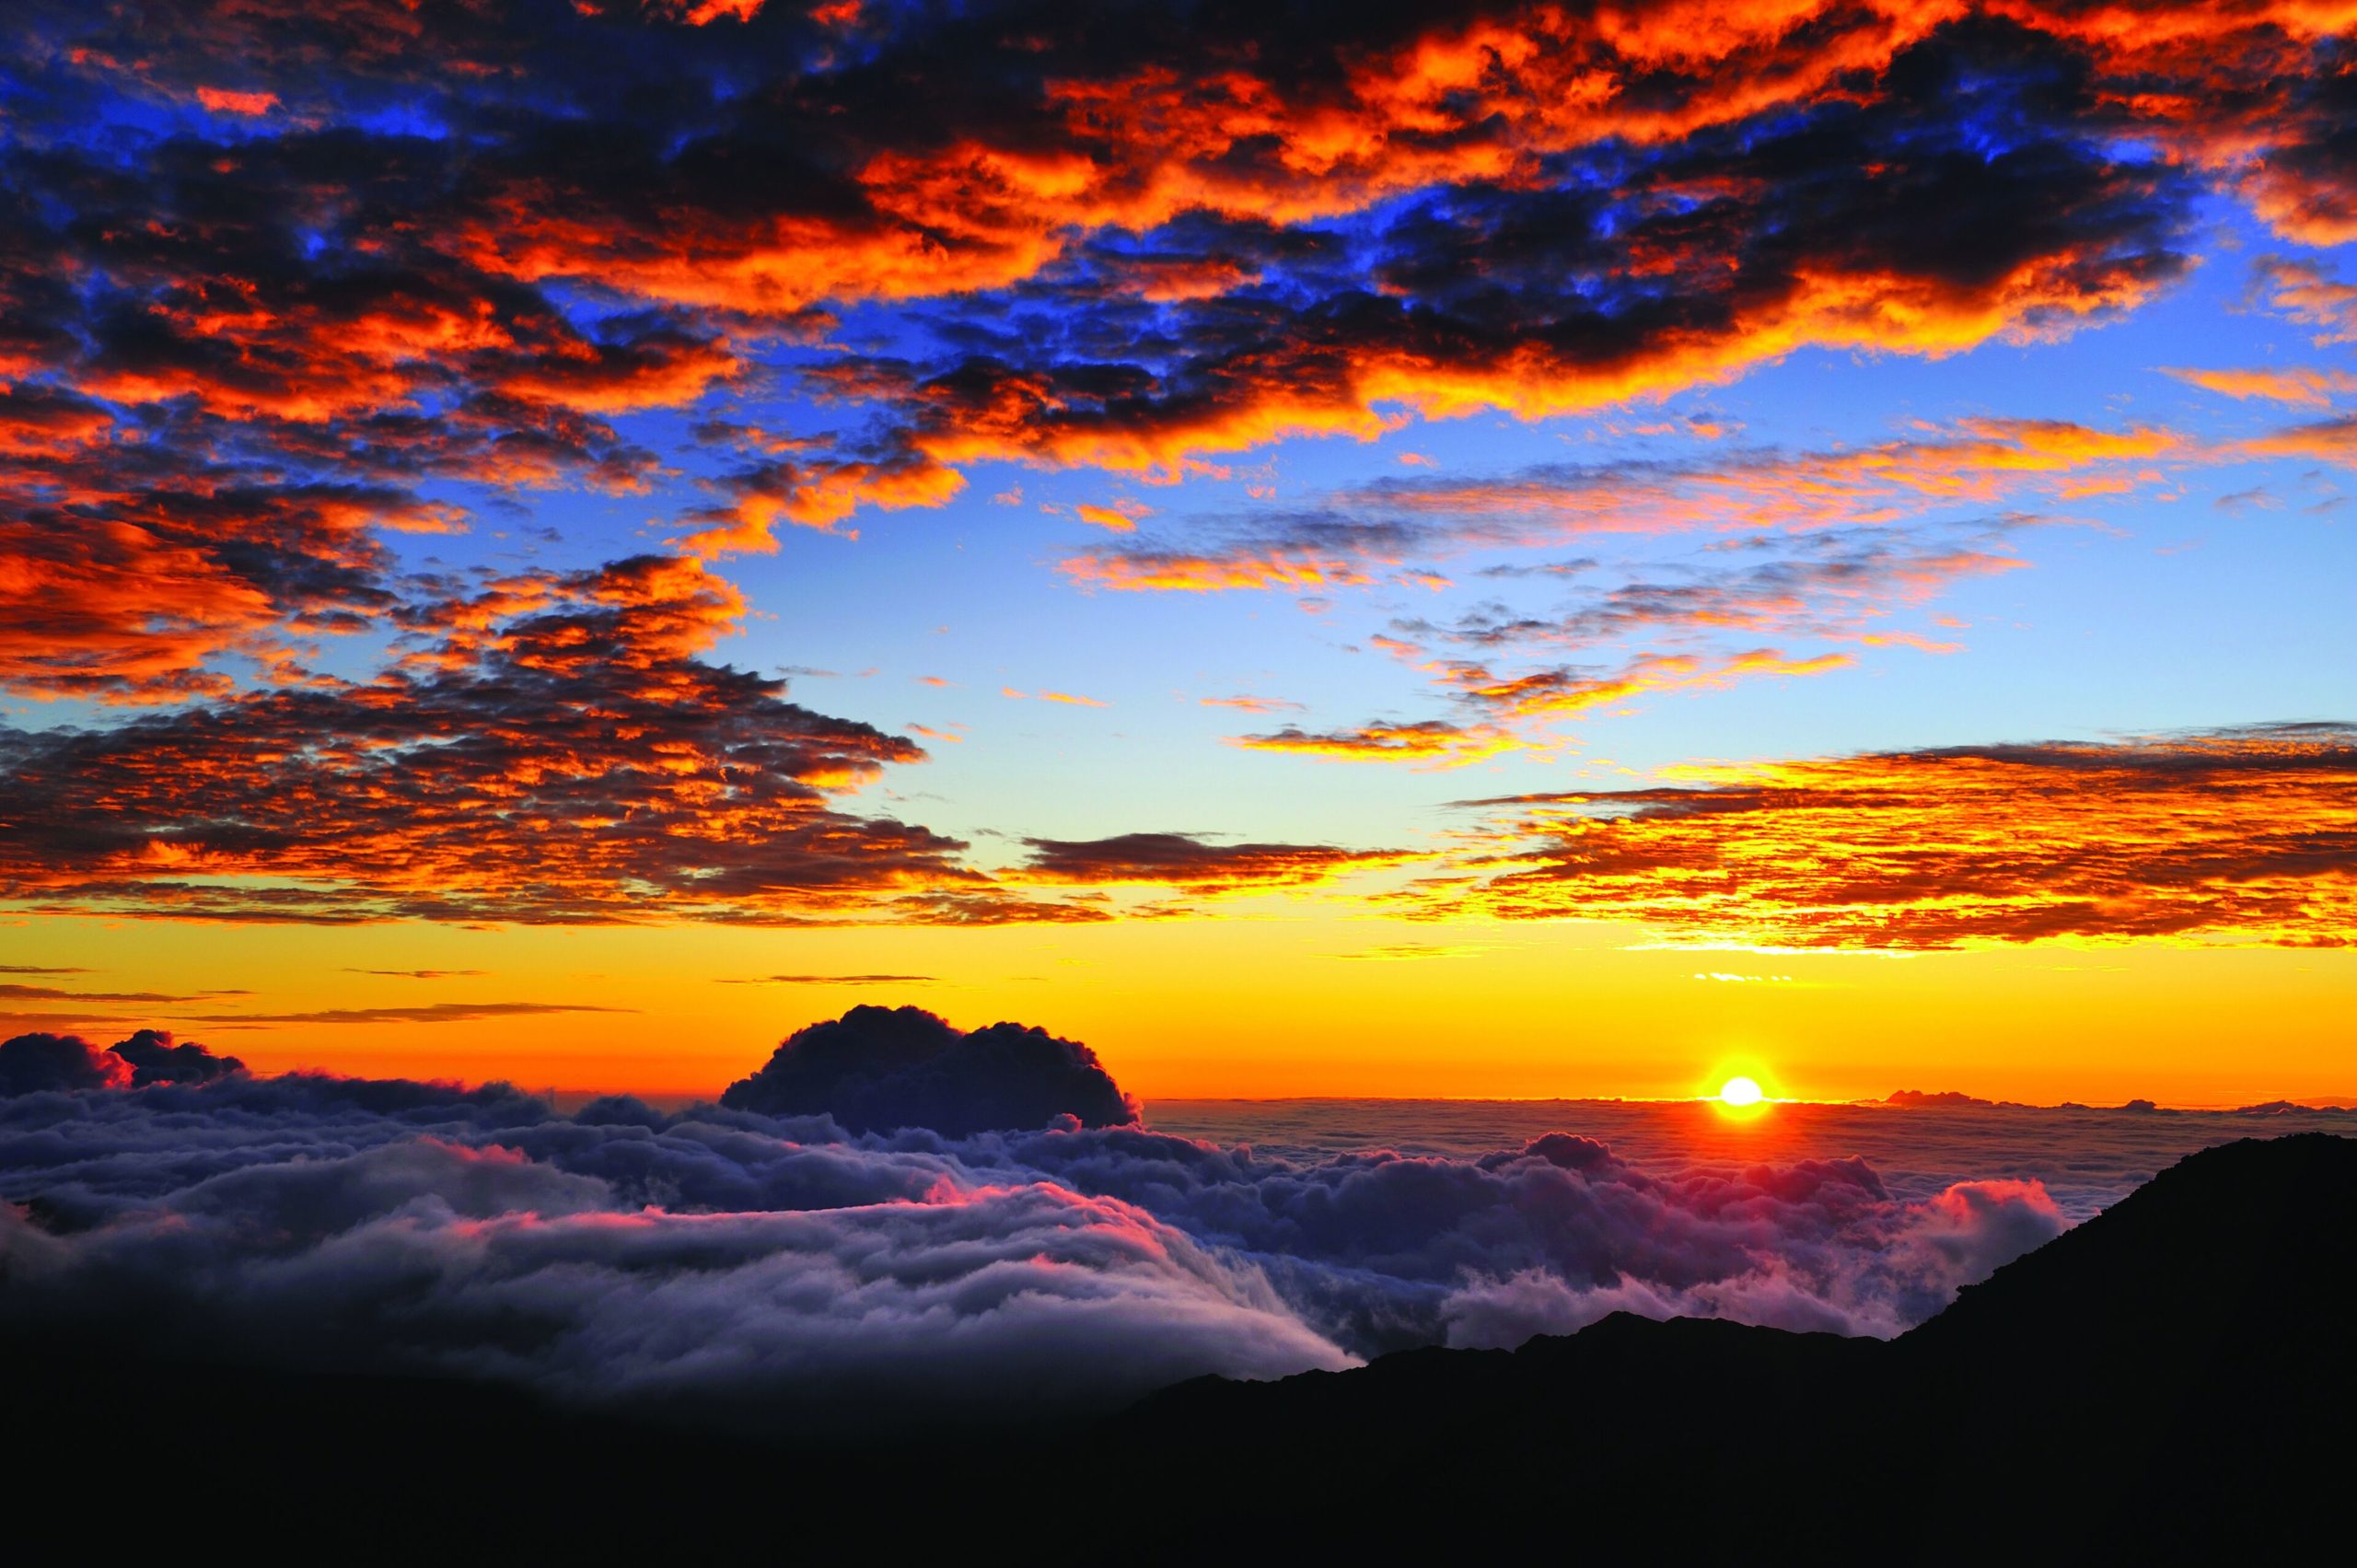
x: 1828, y: 546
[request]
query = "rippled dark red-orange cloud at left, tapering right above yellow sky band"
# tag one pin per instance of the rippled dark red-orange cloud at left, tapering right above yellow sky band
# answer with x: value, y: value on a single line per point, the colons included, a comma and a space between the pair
x: 548, y: 749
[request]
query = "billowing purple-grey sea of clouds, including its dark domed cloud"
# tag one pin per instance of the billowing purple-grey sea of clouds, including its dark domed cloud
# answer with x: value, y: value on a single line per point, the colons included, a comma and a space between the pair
x: 781, y: 1270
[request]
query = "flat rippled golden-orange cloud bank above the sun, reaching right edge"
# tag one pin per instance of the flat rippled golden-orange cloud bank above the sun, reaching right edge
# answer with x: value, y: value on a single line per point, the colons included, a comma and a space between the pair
x: 2221, y: 838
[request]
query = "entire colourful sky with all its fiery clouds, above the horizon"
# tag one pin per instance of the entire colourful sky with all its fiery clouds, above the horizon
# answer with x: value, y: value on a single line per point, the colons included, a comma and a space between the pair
x: 1496, y: 553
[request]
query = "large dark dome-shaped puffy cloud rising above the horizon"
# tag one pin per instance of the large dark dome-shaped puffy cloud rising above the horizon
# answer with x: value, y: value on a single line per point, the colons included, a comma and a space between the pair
x: 880, y: 1069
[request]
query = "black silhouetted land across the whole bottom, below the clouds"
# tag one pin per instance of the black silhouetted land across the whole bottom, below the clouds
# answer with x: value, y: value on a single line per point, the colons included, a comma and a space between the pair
x: 2170, y: 1381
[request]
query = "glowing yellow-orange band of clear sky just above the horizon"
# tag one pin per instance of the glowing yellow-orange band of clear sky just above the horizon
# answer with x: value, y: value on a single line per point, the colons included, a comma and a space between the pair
x: 1262, y: 1006
